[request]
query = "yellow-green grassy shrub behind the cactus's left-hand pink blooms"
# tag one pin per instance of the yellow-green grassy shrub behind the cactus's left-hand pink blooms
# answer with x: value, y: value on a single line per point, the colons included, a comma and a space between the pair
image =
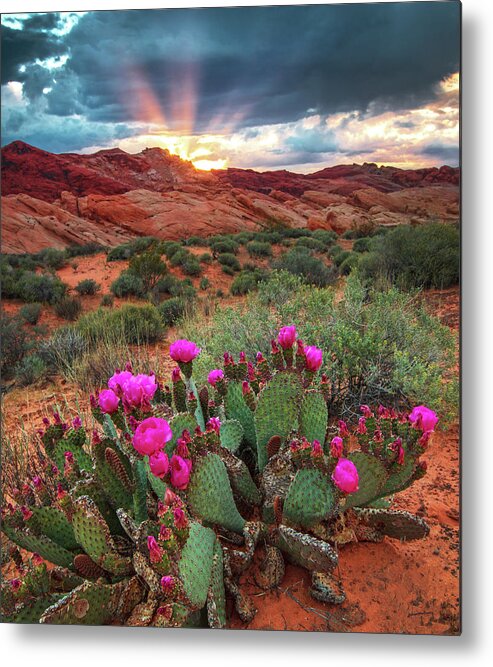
x: 130, y: 324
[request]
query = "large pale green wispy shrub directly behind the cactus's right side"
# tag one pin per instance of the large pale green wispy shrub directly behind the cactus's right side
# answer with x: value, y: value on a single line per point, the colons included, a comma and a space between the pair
x: 378, y: 346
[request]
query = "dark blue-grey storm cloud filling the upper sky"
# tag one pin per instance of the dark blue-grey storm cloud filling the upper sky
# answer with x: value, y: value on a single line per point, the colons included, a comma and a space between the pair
x: 271, y: 64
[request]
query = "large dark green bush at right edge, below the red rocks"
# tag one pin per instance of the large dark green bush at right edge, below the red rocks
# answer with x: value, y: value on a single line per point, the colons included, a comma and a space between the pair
x: 426, y: 256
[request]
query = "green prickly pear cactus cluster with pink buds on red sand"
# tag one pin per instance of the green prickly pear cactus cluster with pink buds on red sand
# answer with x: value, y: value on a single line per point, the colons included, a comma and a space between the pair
x: 130, y: 545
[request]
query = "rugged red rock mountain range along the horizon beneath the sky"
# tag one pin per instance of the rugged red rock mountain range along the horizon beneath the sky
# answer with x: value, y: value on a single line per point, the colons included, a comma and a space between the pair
x: 110, y: 196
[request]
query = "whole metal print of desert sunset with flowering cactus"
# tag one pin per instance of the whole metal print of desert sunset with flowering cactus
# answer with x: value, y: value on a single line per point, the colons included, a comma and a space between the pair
x: 230, y: 281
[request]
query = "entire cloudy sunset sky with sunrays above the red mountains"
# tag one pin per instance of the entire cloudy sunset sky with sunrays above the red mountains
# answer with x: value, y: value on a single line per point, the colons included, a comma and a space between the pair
x: 293, y: 87
